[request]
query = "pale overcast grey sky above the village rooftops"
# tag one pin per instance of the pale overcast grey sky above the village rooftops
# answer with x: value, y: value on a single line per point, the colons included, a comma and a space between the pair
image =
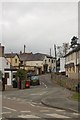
x: 38, y: 25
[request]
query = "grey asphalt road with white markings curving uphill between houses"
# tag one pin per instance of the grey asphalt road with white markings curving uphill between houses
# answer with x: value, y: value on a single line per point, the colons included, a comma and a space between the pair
x: 27, y: 103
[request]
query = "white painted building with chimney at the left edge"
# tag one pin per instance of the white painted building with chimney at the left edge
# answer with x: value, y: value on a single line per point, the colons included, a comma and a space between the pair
x: 5, y: 67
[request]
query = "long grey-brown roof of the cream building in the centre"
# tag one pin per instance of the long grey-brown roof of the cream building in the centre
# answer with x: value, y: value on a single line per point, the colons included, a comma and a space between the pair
x: 33, y: 57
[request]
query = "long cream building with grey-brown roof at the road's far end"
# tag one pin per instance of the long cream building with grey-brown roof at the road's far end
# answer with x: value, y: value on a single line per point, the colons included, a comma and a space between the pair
x: 38, y: 63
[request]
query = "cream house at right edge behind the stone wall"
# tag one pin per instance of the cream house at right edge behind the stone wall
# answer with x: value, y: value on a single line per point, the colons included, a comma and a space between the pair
x: 72, y: 63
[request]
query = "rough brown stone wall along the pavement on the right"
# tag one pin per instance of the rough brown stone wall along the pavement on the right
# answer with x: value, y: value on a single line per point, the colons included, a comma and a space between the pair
x: 64, y: 81
